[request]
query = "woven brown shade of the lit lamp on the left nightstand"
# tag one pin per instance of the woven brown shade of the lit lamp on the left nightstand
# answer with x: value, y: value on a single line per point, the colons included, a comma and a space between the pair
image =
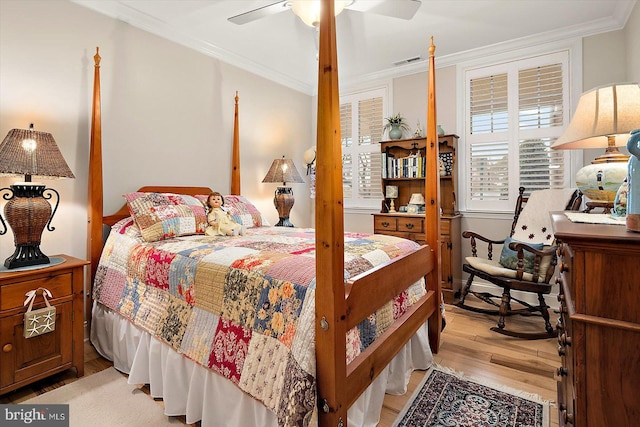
x: 32, y: 153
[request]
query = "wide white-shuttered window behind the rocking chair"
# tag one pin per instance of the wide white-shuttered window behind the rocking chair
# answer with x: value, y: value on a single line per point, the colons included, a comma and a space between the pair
x: 514, y: 113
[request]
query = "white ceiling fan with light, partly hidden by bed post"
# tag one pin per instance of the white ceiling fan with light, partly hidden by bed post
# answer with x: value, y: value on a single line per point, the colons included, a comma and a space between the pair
x: 403, y: 9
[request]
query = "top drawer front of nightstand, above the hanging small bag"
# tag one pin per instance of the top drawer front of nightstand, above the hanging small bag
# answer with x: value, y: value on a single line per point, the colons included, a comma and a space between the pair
x: 13, y: 295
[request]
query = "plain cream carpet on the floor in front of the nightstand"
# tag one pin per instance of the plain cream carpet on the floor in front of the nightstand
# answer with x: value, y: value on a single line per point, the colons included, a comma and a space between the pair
x: 105, y: 399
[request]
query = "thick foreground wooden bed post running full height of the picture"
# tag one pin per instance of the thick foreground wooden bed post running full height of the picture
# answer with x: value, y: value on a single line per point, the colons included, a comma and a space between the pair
x: 330, y: 291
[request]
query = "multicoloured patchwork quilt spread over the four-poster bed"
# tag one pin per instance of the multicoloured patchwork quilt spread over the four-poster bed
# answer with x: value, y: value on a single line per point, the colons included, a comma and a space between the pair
x: 242, y: 306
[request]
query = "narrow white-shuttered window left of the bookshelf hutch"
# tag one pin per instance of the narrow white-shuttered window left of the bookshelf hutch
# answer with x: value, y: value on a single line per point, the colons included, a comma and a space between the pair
x: 361, y: 123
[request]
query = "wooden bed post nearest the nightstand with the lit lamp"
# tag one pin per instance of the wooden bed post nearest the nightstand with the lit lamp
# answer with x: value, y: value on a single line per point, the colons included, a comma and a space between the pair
x: 94, y: 199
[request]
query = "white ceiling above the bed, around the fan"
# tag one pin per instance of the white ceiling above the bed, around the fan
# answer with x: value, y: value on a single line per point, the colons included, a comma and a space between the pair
x: 282, y: 48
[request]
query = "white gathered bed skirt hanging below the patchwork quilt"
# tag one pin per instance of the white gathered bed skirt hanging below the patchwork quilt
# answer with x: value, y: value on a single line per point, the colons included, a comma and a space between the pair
x: 199, y: 394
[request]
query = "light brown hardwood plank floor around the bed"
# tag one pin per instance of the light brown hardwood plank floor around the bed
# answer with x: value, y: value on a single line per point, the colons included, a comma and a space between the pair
x: 467, y: 346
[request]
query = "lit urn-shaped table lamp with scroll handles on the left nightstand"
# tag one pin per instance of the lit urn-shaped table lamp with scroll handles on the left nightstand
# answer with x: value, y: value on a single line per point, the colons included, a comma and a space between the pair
x: 28, y: 153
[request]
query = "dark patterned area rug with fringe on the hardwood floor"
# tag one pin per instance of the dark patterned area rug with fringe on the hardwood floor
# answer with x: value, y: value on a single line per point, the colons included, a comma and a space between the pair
x: 446, y: 398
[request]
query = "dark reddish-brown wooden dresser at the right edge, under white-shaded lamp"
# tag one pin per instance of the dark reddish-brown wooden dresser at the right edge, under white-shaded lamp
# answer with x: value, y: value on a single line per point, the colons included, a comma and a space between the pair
x: 599, y: 326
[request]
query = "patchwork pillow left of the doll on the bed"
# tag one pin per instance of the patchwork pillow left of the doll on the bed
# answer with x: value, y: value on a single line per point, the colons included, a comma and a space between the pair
x: 162, y: 216
